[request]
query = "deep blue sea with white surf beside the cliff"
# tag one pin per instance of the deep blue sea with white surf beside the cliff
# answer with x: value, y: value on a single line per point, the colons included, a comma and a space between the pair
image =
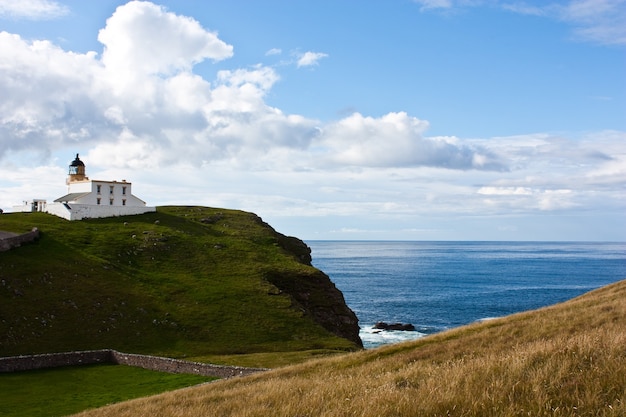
x: 441, y: 285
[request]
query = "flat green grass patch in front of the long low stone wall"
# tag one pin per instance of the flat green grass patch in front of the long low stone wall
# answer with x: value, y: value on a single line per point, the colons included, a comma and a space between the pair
x: 63, y: 391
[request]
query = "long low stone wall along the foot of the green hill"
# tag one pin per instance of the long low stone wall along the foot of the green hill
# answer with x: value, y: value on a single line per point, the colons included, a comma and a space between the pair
x: 155, y: 363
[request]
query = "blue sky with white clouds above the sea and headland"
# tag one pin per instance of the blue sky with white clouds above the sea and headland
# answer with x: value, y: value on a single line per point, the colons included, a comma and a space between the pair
x: 339, y: 120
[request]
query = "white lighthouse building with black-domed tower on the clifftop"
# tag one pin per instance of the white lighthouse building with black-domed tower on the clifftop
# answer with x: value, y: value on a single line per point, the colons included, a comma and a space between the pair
x: 87, y: 198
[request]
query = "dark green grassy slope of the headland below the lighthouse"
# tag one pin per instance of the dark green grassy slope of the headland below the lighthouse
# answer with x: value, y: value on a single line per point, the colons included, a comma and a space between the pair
x: 182, y: 282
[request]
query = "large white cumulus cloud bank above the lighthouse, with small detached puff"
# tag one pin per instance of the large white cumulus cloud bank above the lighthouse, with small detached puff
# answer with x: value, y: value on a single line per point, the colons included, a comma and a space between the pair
x: 140, y: 104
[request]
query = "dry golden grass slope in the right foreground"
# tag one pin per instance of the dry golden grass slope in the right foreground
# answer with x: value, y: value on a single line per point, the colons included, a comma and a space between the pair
x: 565, y: 360
